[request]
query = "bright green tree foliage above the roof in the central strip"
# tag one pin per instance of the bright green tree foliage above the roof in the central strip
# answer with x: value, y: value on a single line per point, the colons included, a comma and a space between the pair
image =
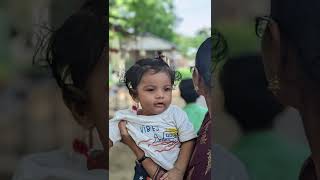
x: 155, y: 17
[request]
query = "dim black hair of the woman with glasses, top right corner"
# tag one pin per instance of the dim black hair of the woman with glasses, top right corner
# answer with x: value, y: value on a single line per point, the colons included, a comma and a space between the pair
x: 299, y: 24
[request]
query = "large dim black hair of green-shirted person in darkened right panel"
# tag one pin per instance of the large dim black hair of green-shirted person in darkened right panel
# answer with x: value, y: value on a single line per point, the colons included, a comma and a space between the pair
x: 247, y: 97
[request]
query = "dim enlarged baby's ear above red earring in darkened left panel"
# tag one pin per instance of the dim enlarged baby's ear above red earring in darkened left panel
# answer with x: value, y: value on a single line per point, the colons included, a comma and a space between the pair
x: 80, y: 113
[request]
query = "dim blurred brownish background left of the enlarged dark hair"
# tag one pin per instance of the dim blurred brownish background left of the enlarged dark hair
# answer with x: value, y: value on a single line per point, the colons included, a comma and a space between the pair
x: 33, y: 117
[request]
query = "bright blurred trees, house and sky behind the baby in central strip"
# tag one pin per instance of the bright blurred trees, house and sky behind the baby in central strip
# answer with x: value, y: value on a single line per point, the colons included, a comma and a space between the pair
x: 142, y: 28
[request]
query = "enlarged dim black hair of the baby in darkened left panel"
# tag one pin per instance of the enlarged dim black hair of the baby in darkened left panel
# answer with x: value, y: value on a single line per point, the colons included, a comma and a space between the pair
x: 74, y: 49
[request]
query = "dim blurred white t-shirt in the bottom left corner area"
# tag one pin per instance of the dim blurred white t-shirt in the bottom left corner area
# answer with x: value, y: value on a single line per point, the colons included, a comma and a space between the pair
x: 57, y: 165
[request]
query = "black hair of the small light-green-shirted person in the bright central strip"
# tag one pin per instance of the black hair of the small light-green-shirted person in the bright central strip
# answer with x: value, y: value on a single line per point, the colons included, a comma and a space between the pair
x: 187, y: 91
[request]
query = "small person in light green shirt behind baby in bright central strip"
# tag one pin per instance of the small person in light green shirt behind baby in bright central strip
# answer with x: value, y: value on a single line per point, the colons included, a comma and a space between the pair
x: 195, y: 112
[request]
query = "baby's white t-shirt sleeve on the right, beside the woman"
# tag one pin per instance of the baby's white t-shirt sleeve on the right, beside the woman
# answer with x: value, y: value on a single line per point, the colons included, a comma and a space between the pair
x: 186, y: 130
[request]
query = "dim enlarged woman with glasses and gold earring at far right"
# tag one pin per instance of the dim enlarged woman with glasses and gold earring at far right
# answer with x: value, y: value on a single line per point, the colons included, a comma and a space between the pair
x: 290, y: 49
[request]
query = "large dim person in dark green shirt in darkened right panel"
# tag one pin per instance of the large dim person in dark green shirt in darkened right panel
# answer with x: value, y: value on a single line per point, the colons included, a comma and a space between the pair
x: 253, y: 106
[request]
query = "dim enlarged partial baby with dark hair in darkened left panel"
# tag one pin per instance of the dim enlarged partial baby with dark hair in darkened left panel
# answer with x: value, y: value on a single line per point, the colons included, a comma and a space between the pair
x: 76, y: 56
